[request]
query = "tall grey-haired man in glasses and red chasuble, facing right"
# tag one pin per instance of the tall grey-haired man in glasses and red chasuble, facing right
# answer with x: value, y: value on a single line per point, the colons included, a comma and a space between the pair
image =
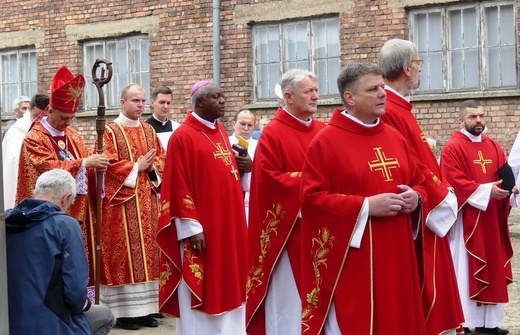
x: 399, y: 60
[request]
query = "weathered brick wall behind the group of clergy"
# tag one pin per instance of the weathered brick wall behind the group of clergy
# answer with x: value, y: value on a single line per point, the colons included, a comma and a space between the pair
x: 181, y: 53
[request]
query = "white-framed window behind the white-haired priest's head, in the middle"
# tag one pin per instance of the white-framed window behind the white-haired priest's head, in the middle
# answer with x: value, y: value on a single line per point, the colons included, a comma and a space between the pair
x: 311, y: 44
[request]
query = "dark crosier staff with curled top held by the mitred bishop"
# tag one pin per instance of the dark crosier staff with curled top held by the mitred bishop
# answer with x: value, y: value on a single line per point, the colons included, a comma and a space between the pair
x: 106, y: 75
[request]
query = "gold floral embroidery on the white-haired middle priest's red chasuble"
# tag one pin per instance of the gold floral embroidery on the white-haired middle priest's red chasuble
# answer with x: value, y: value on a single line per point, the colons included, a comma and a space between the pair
x: 273, y: 218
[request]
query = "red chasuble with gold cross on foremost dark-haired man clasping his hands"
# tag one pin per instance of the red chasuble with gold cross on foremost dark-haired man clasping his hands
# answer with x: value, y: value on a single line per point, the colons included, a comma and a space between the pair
x: 375, y: 288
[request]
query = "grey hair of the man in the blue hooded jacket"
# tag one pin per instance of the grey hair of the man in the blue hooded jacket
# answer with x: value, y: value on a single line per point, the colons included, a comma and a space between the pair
x: 55, y: 184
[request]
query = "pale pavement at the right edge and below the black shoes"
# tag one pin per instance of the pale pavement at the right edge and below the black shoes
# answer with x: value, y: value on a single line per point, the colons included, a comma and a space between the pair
x: 512, y: 321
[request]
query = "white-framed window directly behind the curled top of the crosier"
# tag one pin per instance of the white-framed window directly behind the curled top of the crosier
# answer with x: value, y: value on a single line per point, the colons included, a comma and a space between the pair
x: 130, y: 64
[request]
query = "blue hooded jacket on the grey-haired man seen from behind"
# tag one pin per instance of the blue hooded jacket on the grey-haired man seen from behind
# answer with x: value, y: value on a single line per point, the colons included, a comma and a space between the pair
x: 47, y: 271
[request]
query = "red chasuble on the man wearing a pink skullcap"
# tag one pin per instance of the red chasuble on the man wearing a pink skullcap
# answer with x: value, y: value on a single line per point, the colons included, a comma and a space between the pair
x: 201, y: 183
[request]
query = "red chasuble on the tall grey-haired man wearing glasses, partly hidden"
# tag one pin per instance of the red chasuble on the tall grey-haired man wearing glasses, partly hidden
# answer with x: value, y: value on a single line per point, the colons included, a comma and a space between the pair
x: 440, y: 294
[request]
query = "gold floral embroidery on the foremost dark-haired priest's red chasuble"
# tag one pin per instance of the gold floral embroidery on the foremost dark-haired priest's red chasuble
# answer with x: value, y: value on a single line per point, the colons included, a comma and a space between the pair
x: 321, y: 246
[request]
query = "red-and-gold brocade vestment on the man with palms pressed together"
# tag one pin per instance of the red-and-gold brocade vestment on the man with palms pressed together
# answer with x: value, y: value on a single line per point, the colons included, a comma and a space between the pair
x: 129, y: 251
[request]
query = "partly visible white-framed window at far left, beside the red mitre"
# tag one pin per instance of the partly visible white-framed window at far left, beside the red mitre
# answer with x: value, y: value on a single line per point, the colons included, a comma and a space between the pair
x: 18, y: 76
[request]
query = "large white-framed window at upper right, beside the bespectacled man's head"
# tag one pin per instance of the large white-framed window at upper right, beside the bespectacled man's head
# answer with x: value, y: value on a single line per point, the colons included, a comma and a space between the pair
x: 466, y: 47
